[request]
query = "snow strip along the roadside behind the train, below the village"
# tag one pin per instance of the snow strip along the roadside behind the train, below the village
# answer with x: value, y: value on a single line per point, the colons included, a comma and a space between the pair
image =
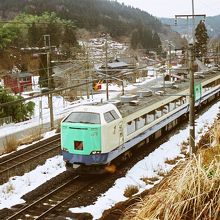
x: 62, y: 108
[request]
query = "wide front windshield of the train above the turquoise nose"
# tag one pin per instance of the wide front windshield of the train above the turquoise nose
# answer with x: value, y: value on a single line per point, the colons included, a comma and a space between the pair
x: 83, y: 117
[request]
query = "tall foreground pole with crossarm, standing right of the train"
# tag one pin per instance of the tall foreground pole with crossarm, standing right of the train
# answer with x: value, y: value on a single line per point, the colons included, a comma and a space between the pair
x: 191, y: 73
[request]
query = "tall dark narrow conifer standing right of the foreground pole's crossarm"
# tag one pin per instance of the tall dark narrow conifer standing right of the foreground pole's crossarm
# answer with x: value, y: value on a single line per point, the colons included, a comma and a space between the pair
x: 201, y: 40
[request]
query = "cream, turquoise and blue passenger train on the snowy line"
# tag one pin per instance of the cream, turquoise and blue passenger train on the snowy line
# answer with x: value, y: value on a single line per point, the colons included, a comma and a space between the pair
x: 94, y: 136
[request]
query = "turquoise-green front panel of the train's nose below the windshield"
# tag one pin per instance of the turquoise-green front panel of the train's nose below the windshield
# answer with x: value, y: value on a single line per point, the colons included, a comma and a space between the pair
x: 89, y: 134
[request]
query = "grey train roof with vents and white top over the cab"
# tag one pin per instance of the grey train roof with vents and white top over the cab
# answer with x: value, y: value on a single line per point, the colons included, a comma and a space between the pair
x: 152, y: 102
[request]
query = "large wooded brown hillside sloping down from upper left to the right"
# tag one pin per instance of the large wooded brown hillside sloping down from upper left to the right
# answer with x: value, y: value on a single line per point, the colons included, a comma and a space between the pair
x: 93, y: 15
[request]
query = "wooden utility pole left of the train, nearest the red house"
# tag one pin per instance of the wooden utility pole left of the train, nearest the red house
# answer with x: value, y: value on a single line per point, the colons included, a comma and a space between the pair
x: 50, y: 96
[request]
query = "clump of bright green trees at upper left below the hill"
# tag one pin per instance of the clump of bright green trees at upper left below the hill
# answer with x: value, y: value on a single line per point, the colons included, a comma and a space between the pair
x: 27, y: 30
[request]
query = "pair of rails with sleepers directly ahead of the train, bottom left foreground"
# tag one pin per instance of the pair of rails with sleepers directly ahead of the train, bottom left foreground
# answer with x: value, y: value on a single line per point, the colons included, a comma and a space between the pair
x: 55, y: 201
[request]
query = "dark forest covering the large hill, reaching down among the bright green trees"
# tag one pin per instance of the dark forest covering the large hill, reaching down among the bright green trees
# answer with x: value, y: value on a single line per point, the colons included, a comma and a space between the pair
x: 141, y: 29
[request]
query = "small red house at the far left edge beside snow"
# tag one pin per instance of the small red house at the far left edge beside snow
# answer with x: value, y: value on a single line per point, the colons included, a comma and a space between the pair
x: 18, y: 81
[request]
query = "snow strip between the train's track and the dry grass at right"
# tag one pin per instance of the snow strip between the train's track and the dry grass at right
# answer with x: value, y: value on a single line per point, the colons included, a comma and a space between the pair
x: 149, y: 167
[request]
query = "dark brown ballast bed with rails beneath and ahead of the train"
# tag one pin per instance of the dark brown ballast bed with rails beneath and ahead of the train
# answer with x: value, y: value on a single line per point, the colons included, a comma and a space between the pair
x: 74, y: 192
